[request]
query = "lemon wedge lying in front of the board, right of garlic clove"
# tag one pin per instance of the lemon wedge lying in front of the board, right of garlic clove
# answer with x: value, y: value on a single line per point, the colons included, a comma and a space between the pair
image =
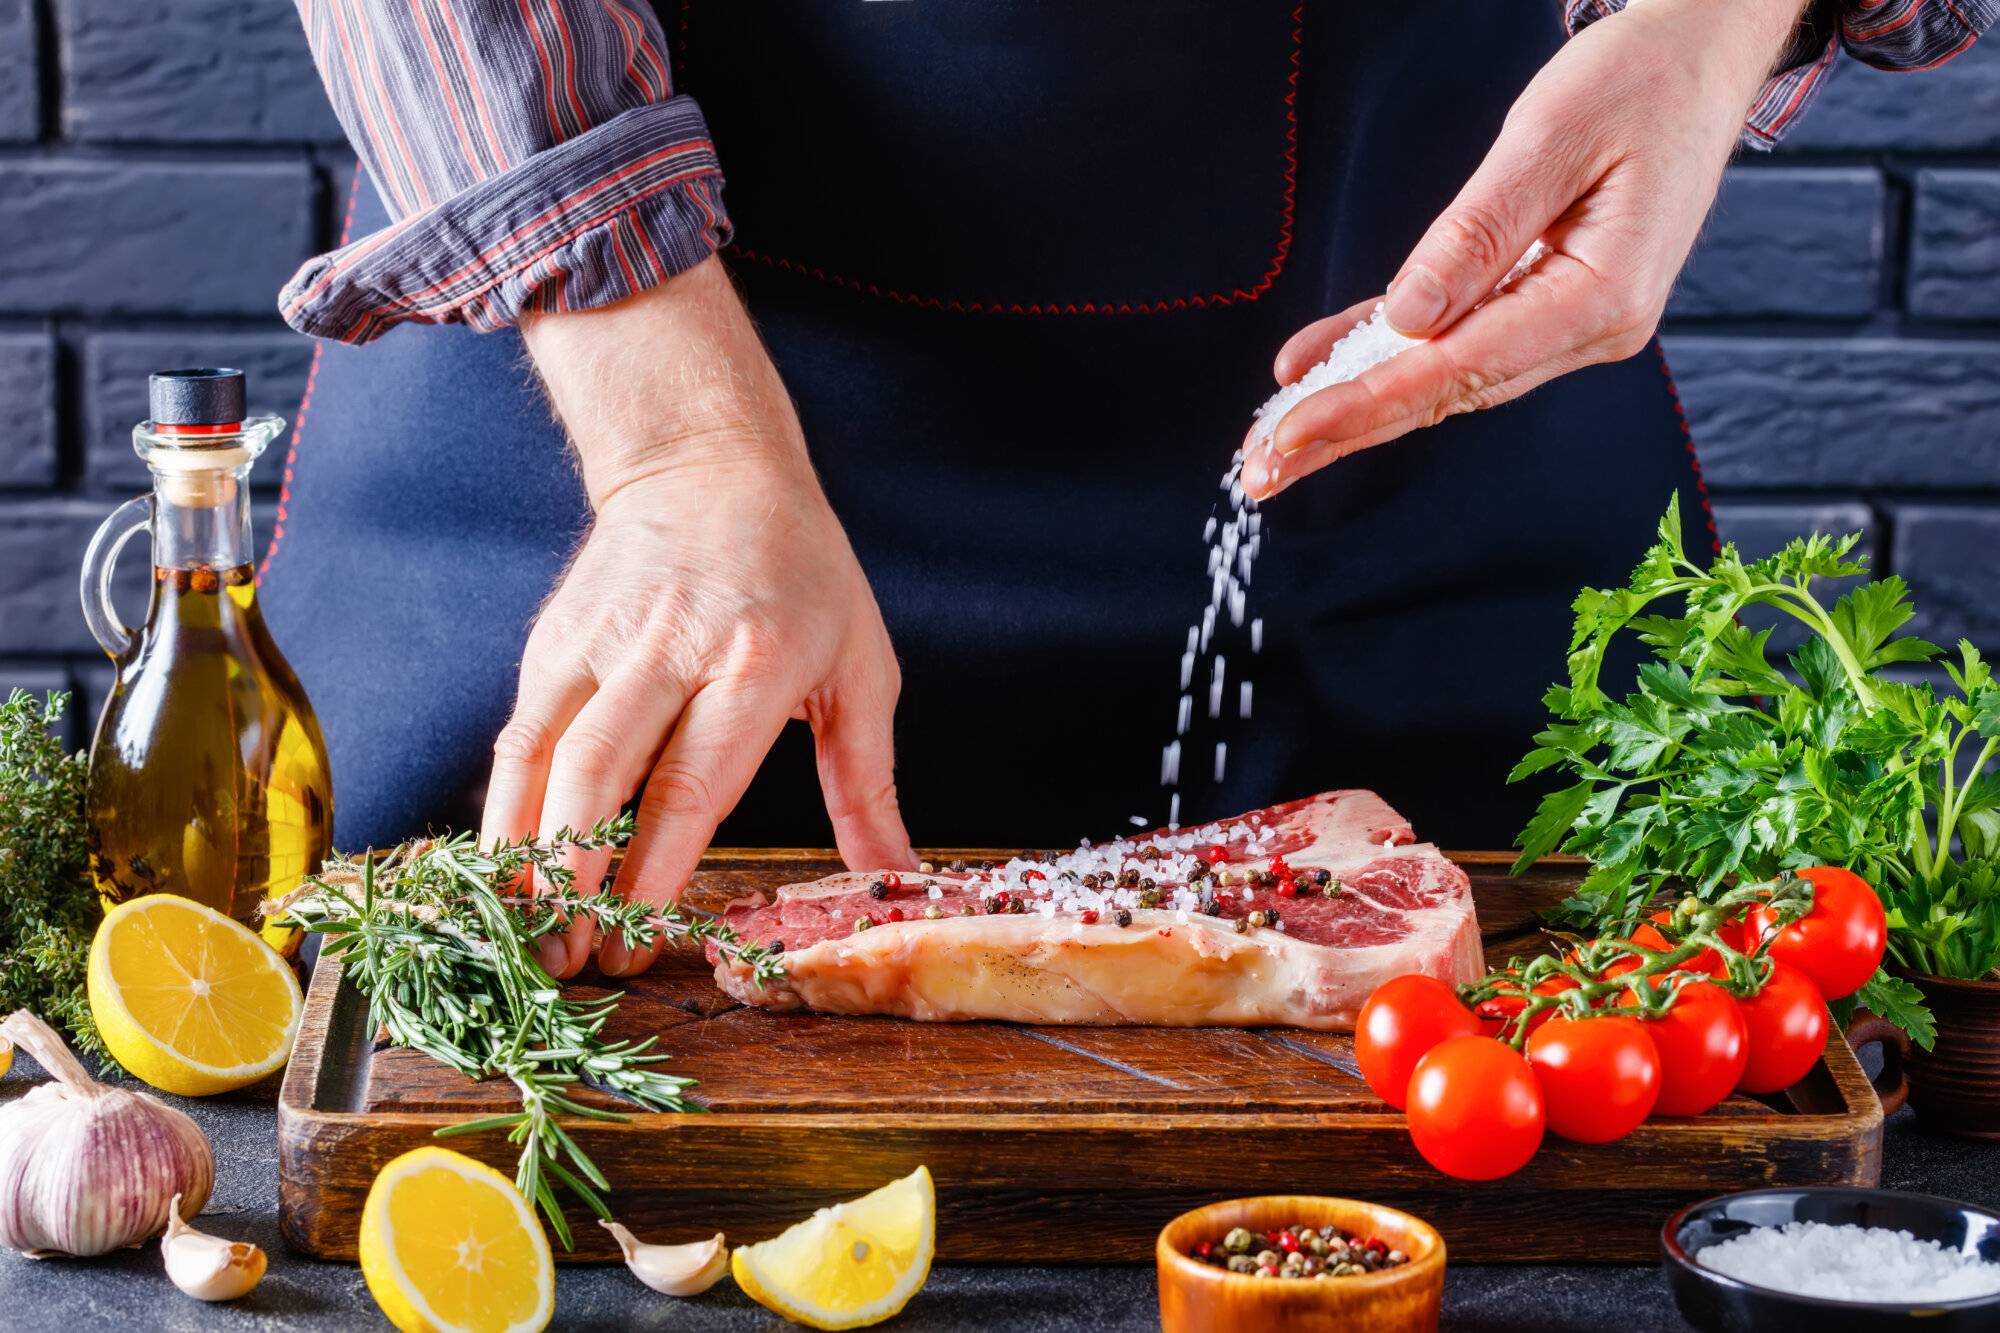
x: 849, y: 1266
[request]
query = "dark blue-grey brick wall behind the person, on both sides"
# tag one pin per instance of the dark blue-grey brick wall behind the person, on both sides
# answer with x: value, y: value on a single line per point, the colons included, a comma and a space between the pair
x: 167, y: 165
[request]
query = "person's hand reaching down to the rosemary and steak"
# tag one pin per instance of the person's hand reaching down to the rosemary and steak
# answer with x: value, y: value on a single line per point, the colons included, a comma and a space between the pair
x: 713, y: 599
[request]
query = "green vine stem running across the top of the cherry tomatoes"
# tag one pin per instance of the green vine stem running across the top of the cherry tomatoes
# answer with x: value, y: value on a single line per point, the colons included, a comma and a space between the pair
x: 1601, y: 978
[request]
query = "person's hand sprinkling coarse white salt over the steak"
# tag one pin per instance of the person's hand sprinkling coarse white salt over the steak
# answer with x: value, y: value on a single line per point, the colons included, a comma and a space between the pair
x: 1613, y: 155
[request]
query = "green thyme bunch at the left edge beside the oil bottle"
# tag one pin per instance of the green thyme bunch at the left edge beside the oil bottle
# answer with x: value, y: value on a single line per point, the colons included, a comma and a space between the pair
x: 49, y: 904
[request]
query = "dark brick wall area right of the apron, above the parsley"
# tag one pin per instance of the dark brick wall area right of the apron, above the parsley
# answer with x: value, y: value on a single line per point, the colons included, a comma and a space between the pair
x: 1837, y: 337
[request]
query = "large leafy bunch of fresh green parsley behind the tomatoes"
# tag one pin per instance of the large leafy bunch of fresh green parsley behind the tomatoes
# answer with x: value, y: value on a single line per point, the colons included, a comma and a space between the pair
x: 1725, y: 766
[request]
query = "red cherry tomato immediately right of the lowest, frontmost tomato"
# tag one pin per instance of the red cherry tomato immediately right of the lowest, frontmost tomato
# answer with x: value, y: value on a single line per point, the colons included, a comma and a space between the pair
x: 1599, y: 1076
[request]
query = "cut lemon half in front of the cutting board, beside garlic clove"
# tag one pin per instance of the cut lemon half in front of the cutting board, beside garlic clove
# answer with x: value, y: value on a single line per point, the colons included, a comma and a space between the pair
x: 449, y: 1246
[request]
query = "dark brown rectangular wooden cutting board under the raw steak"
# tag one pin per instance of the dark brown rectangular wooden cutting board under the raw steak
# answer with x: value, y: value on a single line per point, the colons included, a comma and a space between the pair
x: 1049, y: 1144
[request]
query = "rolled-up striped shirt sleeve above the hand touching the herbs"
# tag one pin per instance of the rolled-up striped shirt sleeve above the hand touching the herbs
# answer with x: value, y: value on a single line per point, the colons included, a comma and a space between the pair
x: 533, y: 157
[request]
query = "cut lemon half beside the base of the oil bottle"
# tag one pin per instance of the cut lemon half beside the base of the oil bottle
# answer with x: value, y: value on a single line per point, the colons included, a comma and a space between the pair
x: 189, y: 1000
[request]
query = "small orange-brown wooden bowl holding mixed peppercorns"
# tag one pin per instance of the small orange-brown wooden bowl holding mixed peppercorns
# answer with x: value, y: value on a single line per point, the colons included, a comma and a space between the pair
x: 1197, y: 1298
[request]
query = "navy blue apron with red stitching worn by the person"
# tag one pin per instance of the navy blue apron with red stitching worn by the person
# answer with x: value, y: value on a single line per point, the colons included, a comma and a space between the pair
x: 1025, y: 269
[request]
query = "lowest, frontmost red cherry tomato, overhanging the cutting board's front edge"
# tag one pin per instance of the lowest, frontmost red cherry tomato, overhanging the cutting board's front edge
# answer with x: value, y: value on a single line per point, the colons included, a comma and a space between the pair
x: 1475, y: 1110
